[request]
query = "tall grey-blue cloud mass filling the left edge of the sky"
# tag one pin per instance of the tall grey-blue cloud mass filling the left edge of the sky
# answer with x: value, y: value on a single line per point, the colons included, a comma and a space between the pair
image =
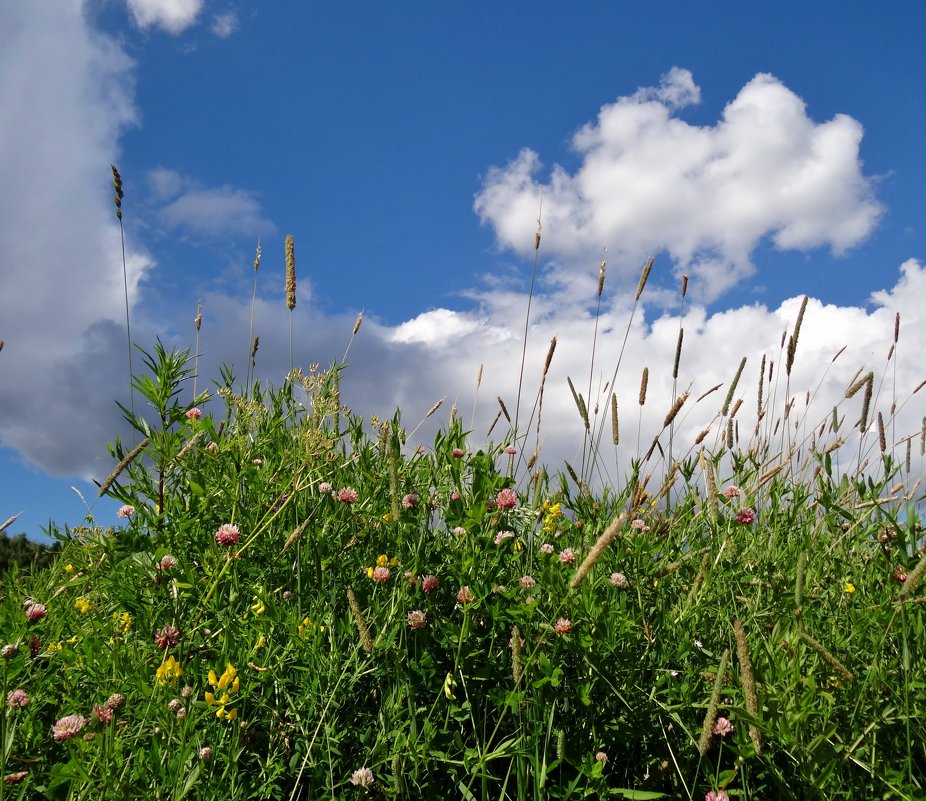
x: 62, y: 295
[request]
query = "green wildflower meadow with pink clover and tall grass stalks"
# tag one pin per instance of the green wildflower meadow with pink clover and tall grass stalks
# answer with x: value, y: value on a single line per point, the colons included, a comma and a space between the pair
x: 297, y: 603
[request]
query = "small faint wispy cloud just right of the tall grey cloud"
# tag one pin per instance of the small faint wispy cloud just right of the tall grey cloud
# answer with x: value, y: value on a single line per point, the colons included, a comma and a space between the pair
x: 186, y: 205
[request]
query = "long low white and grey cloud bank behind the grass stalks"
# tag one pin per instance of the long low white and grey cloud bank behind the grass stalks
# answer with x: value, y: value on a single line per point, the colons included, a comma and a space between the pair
x: 439, y: 354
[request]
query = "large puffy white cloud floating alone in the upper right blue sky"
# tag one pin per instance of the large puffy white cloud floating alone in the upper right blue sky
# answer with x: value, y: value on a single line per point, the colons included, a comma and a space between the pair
x: 708, y: 195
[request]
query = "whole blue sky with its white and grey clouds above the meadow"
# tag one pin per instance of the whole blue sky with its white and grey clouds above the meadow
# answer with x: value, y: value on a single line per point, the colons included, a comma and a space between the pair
x: 768, y: 150
